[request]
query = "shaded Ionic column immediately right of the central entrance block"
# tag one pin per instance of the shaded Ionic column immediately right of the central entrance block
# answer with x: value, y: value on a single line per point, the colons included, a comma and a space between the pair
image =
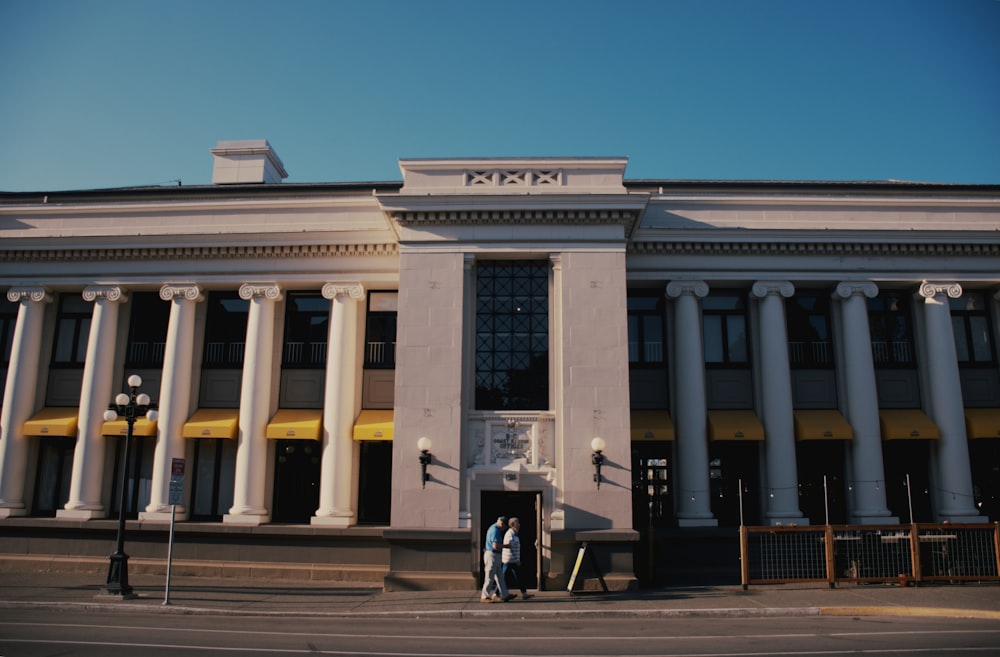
x: 694, y: 505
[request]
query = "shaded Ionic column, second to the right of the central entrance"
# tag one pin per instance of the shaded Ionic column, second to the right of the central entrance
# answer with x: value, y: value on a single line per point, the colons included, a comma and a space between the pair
x: 776, y: 403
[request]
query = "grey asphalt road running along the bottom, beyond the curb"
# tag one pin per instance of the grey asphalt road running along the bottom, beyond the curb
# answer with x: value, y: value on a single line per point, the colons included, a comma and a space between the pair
x: 28, y: 632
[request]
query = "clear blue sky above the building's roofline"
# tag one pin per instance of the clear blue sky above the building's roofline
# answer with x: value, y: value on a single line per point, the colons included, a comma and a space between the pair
x: 109, y: 93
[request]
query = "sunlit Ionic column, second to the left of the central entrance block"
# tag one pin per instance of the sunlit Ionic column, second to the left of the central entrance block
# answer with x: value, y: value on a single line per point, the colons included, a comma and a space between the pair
x: 255, y: 407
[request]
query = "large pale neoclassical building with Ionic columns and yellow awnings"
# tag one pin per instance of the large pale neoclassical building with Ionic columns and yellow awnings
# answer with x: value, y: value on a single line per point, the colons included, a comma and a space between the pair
x: 755, y: 352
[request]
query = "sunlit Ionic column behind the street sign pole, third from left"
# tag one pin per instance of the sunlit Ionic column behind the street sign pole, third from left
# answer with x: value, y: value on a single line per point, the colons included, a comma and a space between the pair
x: 175, y: 396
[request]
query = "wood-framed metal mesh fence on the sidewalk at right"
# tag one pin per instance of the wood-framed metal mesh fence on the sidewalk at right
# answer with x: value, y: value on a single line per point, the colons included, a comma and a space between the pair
x: 870, y: 553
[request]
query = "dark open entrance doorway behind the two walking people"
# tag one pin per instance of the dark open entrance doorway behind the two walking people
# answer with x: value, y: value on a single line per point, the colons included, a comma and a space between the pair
x: 527, y: 506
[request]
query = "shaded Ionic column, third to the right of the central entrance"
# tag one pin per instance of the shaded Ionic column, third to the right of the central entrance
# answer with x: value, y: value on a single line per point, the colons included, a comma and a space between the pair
x: 868, y: 505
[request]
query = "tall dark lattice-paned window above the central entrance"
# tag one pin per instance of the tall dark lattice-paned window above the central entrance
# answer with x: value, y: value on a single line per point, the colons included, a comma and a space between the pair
x: 512, y: 339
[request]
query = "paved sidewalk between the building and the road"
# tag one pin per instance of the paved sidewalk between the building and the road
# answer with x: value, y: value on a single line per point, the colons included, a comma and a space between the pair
x: 226, y: 597
